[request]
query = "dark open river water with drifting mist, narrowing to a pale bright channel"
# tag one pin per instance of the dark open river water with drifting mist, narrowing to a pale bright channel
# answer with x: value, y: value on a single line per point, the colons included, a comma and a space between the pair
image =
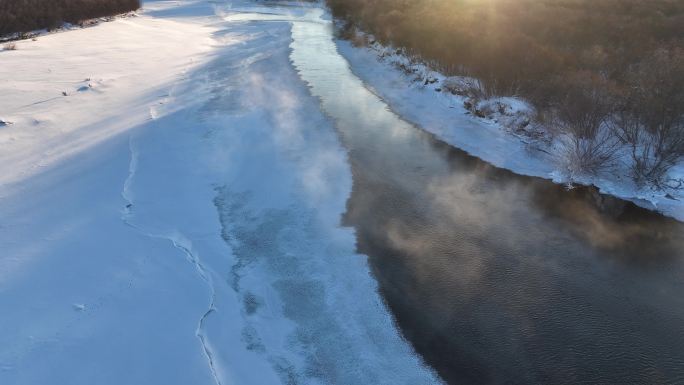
x: 494, y: 277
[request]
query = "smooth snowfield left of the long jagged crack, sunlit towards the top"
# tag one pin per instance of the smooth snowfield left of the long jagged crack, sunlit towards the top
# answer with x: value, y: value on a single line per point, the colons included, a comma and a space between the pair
x: 79, y: 291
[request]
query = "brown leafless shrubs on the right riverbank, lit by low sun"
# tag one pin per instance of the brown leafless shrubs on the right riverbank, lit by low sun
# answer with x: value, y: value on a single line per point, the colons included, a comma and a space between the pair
x: 607, y: 75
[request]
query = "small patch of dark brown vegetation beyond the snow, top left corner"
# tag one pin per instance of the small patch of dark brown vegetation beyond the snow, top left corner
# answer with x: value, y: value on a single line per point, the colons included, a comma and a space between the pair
x: 18, y: 16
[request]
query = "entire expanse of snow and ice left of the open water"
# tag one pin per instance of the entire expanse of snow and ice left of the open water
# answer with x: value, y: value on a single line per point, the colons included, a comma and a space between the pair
x: 170, y: 200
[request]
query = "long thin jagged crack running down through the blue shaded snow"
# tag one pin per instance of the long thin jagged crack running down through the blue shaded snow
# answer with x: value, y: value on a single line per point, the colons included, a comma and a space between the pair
x: 180, y: 242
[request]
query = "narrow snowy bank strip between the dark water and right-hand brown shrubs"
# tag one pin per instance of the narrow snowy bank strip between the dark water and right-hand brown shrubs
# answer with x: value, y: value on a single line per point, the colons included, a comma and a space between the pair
x: 418, y: 94
